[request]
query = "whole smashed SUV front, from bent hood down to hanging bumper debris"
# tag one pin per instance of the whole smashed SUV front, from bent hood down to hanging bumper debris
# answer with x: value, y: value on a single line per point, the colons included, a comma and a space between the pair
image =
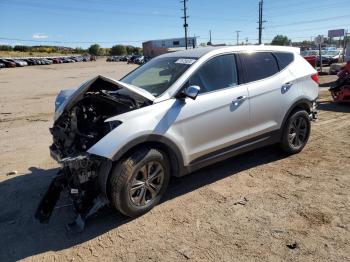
x: 79, y: 126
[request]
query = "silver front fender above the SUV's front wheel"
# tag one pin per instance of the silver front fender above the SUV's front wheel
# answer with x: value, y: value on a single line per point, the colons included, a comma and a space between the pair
x: 155, y: 123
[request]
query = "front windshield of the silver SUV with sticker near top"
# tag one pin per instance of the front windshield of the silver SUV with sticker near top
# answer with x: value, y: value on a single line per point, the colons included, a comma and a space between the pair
x: 159, y: 74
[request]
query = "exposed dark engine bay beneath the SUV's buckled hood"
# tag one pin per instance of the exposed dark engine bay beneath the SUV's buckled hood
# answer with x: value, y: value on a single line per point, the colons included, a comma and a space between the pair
x: 78, y: 128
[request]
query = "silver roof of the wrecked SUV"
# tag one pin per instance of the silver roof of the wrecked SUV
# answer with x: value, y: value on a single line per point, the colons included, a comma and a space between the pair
x: 201, y: 51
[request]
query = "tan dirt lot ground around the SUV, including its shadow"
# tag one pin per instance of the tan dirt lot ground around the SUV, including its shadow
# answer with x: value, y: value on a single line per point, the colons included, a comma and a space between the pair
x: 297, y: 208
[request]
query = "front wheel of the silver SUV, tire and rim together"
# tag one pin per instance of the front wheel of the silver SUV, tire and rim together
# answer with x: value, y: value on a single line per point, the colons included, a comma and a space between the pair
x: 127, y: 193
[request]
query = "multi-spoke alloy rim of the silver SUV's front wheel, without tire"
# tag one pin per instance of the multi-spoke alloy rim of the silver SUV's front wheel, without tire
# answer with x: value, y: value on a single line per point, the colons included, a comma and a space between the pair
x: 146, y: 184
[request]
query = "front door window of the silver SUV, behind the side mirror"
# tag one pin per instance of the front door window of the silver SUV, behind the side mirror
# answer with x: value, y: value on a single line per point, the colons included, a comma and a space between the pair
x: 218, y: 73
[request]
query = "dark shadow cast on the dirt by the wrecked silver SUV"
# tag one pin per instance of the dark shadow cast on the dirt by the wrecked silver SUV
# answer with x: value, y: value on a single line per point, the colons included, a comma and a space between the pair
x: 22, y: 236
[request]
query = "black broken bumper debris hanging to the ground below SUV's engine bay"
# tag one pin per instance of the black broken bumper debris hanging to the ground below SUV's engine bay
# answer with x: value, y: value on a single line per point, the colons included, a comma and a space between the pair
x: 80, y: 177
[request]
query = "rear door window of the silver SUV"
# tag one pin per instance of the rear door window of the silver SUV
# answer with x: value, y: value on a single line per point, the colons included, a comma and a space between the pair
x: 259, y: 65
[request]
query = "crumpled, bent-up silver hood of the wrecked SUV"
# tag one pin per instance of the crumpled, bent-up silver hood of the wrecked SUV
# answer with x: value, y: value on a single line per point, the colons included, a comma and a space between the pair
x: 72, y: 96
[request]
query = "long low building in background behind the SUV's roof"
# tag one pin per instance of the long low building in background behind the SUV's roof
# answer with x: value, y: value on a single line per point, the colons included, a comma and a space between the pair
x: 154, y: 48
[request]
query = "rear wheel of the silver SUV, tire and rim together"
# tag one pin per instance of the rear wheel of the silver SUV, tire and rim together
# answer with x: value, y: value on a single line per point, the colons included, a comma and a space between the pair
x: 296, y: 132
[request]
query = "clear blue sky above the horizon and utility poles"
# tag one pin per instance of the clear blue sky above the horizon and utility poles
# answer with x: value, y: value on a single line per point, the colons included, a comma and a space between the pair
x: 80, y: 23
